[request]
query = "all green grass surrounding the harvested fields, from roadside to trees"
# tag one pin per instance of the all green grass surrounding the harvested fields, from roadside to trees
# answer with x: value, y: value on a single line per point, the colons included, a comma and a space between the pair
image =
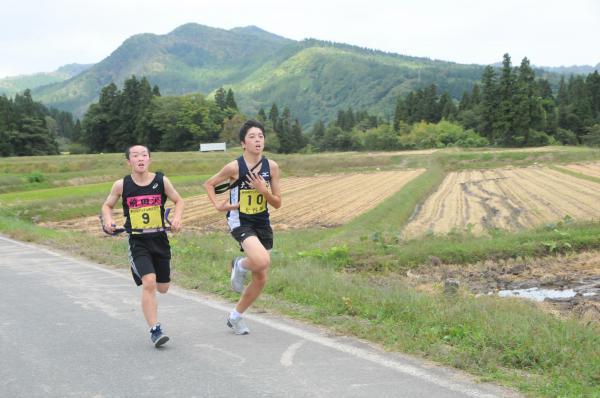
x: 350, y: 278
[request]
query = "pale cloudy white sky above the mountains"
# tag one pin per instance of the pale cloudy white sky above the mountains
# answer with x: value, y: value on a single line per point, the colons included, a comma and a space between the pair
x: 40, y: 36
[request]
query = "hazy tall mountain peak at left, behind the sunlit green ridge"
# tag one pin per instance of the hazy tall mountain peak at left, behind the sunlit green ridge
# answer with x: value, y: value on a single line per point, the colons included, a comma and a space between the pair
x: 192, y: 58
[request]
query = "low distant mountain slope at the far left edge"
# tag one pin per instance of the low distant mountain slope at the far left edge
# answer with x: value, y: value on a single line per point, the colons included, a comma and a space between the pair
x: 15, y: 84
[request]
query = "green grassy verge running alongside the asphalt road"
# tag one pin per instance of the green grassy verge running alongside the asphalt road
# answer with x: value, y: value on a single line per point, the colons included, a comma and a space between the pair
x: 506, y: 341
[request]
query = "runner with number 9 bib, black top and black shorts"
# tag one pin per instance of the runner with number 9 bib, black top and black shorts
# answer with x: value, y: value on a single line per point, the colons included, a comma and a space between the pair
x: 144, y: 195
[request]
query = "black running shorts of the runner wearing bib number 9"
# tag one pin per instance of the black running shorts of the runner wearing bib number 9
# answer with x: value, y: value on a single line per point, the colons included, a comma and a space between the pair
x: 150, y: 255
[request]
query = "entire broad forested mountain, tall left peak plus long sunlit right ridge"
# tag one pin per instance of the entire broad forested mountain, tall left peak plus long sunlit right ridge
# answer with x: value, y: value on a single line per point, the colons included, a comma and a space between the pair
x: 313, y: 78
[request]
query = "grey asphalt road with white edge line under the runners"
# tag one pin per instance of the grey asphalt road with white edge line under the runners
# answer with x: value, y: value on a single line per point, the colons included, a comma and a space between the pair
x: 72, y: 328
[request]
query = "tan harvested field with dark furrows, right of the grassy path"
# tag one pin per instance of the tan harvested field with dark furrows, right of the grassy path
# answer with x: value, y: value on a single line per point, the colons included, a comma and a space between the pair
x: 508, y: 199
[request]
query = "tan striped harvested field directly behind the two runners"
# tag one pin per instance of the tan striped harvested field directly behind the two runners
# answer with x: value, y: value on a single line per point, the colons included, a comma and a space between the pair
x: 308, y: 202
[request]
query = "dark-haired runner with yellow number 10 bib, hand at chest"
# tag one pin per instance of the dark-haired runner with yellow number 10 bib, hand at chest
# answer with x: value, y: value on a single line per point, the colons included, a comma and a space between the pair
x: 253, y: 183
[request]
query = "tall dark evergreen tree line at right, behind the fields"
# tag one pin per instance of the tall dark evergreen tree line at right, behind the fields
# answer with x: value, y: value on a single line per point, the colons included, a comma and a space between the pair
x: 512, y: 108
